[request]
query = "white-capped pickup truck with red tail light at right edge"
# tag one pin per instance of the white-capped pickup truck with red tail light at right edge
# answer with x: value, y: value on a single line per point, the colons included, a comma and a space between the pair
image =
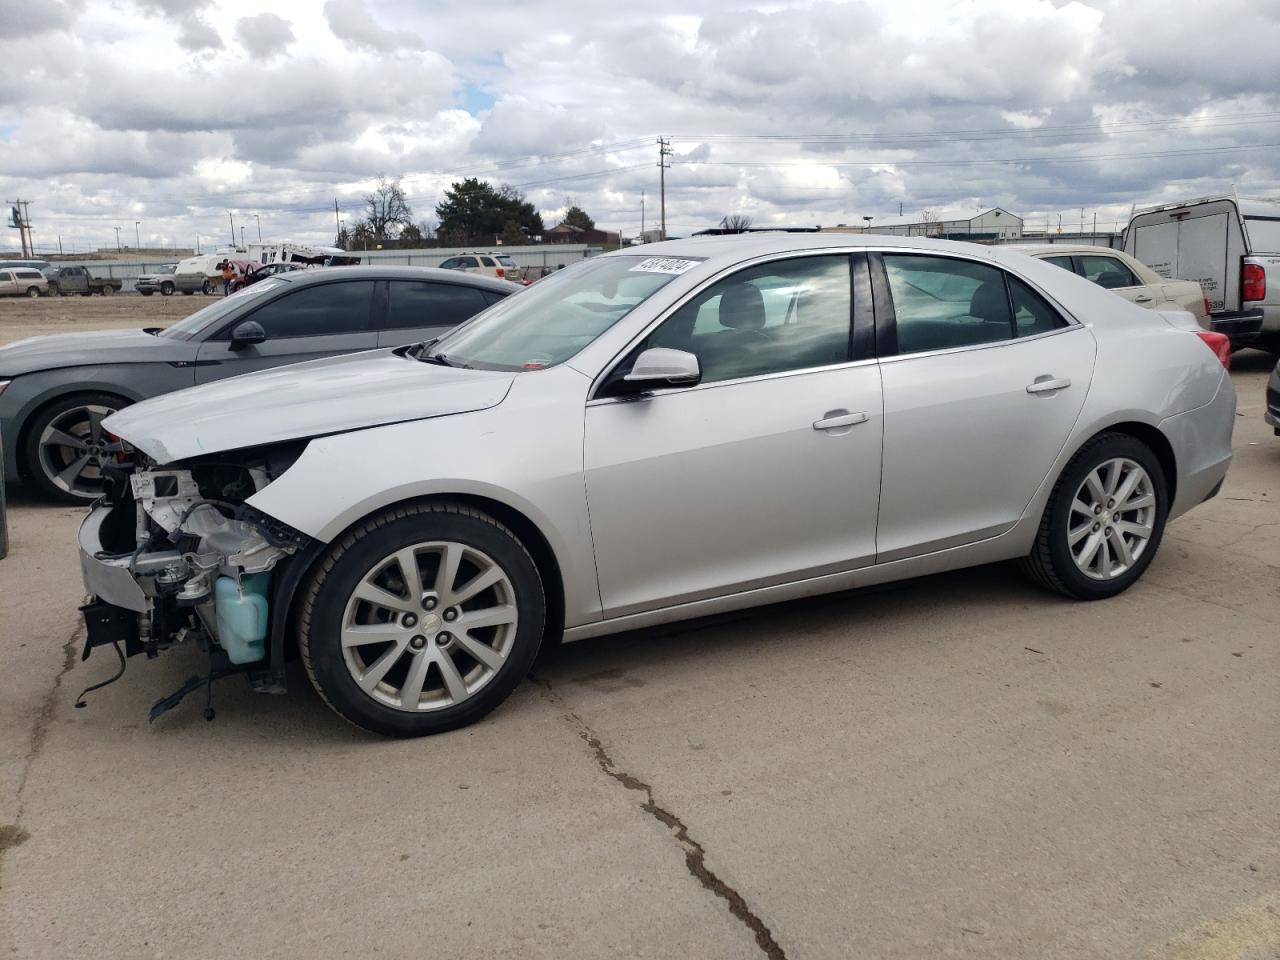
x: 1228, y: 245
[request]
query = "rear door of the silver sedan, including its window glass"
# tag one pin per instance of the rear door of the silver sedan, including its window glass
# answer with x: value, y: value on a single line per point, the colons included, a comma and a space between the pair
x: 984, y: 382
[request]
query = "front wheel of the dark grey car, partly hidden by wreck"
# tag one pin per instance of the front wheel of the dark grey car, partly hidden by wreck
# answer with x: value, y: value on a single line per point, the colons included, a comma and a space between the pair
x: 66, y: 447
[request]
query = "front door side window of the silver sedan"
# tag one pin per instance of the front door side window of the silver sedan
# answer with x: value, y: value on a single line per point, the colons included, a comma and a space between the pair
x: 779, y: 317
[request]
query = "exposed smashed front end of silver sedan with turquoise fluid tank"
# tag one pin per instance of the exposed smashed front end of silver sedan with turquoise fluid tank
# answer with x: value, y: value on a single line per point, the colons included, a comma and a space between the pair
x: 175, y: 555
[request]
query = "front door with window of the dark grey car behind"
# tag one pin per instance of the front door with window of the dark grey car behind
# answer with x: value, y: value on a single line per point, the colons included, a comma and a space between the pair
x: 303, y: 323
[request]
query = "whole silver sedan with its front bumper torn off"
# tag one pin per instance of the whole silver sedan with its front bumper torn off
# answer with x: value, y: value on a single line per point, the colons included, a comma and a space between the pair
x: 648, y: 437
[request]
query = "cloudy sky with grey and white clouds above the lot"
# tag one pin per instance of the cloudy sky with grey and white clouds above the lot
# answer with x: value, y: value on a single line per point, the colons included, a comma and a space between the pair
x: 173, y: 112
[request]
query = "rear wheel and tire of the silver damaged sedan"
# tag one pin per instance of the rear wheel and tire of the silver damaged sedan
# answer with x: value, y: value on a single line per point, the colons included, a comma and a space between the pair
x: 1104, y: 522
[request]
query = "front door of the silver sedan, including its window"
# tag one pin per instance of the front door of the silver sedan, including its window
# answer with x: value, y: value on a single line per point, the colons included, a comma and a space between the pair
x: 765, y: 473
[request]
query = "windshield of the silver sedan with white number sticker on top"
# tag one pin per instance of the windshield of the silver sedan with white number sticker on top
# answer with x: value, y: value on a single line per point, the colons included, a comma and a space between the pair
x: 557, y: 317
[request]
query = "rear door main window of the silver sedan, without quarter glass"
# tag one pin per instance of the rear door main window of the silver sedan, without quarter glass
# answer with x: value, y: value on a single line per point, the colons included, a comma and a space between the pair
x: 941, y: 304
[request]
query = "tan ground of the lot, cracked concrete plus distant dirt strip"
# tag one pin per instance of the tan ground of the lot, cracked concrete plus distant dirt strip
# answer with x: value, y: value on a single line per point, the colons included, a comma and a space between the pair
x: 961, y: 766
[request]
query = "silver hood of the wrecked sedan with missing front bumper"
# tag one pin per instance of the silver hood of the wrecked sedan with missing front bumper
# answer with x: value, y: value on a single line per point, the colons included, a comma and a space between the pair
x: 304, y: 400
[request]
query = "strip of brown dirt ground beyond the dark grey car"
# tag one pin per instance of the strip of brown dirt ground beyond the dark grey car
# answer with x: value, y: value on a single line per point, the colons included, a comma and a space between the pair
x: 22, y: 318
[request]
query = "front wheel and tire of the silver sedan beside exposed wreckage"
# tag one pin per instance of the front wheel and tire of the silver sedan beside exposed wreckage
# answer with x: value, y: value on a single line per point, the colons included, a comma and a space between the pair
x: 422, y: 620
